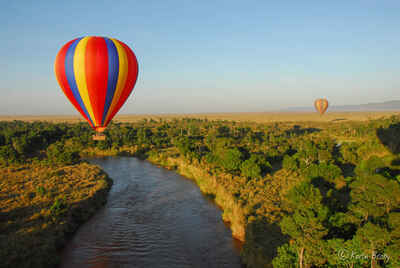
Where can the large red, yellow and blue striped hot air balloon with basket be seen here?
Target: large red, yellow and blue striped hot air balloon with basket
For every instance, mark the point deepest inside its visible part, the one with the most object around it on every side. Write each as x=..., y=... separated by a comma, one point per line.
x=97, y=74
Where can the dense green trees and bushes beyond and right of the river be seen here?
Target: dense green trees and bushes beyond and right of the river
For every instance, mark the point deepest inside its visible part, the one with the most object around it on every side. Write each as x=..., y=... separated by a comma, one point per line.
x=299, y=195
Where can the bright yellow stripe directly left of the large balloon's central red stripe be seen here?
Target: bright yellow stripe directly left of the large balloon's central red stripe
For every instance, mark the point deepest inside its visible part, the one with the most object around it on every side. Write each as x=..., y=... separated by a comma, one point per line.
x=80, y=76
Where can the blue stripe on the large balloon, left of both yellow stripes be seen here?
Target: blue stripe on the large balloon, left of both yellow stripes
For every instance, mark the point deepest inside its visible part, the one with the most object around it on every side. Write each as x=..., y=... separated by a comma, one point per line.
x=69, y=72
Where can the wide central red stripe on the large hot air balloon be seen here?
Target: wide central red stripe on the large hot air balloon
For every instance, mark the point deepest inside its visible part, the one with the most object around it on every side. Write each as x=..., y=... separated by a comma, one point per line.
x=96, y=65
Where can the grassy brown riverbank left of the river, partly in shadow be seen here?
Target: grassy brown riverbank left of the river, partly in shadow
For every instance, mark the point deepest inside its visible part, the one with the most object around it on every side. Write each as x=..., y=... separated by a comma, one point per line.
x=41, y=206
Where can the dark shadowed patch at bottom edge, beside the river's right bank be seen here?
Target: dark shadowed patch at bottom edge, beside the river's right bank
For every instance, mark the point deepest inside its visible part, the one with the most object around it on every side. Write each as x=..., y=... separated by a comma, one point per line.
x=262, y=241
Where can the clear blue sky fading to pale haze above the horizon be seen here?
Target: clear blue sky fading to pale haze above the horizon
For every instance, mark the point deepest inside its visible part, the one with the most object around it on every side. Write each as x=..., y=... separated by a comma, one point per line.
x=209, y=56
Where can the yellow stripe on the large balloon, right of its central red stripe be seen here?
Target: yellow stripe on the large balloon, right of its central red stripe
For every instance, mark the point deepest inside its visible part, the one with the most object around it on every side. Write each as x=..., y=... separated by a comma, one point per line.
x=122, y=75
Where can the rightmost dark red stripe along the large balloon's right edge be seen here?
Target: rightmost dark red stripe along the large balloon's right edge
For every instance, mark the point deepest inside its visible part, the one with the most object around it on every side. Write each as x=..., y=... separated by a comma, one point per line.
x=130, y=80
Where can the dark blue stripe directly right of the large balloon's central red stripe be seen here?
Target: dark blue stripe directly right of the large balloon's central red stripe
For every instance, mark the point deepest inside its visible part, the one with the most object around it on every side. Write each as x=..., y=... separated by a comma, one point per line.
x=113, y=70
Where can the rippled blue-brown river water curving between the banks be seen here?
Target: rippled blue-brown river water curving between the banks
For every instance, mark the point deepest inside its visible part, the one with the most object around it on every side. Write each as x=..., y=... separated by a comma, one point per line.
x=153, y=218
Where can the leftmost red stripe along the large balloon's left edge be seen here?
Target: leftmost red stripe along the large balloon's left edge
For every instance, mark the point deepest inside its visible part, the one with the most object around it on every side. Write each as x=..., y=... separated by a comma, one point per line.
x=63, y=81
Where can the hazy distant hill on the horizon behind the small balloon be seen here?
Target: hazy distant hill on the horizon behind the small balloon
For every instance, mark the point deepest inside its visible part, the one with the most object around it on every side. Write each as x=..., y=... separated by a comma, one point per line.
x=375, y=106
